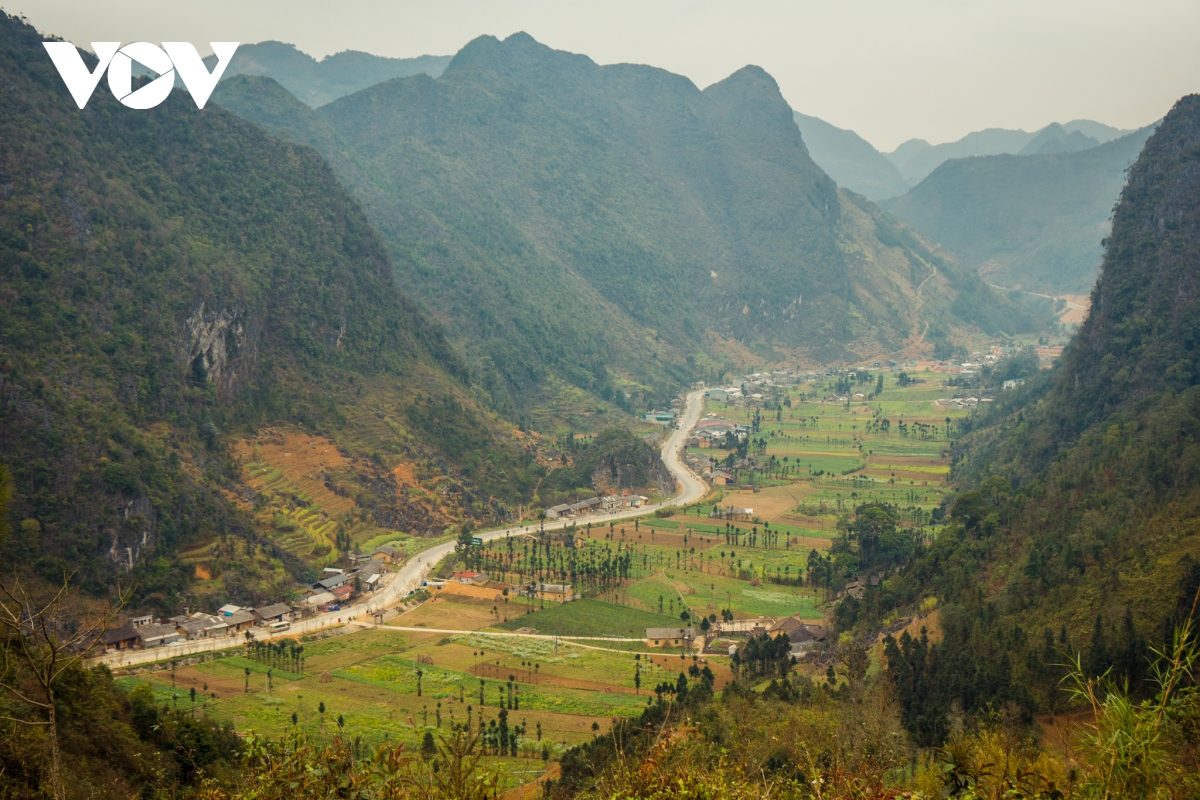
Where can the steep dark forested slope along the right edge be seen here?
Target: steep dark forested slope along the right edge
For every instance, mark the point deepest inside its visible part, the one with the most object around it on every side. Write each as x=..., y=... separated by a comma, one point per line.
x=1079, y=532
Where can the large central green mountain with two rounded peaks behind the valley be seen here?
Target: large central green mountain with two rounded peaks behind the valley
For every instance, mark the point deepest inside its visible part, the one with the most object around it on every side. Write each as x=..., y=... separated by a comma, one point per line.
x=568, y=220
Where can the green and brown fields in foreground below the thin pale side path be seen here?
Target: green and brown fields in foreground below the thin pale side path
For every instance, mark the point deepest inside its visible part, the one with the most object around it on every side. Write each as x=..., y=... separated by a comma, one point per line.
x=364, y=685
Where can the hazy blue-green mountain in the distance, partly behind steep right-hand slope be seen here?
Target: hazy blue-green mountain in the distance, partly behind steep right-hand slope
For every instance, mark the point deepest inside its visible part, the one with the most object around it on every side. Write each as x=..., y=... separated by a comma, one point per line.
x=1028, y=222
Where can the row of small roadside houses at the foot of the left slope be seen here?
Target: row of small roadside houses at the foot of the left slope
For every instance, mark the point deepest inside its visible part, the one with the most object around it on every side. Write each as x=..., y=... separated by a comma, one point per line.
x=337, y=587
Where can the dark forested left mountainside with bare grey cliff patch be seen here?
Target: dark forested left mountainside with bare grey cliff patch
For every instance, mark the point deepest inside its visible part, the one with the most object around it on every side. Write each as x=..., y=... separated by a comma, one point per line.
x=172, y=278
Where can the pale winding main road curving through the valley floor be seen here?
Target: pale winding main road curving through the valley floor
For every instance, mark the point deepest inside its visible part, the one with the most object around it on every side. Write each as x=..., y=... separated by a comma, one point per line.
x=411, y=575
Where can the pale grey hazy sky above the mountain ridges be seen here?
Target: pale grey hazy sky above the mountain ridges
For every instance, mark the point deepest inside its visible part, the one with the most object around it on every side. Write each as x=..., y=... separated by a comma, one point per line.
x=891, y=70
